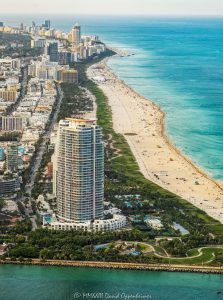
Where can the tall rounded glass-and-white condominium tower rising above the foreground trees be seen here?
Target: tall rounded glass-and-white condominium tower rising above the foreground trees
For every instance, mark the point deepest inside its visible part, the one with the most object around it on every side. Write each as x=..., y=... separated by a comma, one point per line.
x=79, y=170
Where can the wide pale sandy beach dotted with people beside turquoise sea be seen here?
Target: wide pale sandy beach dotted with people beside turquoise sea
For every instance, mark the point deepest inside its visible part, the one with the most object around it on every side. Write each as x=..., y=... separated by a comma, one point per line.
x=158, y=159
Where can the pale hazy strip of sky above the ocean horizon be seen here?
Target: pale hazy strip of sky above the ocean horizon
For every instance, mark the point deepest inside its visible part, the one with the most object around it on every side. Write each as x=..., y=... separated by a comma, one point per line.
x=113, y=7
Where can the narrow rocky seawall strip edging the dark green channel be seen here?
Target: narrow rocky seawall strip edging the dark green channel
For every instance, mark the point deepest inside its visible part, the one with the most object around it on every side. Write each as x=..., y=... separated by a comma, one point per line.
x=119, y=266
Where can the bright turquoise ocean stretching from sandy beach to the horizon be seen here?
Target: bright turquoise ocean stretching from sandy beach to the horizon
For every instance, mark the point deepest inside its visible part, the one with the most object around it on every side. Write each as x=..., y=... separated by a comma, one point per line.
x=177, y=63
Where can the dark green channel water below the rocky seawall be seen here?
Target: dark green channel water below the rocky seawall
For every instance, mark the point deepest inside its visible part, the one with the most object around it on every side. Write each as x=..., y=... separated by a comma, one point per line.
x=62, y=283
